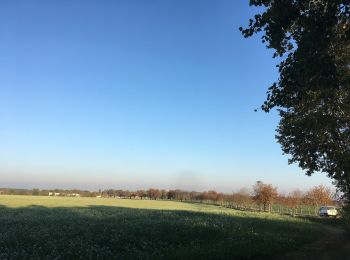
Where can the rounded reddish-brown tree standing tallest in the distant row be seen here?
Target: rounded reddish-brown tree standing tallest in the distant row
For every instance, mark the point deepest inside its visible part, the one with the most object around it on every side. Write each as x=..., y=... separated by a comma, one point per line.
x=264, y=194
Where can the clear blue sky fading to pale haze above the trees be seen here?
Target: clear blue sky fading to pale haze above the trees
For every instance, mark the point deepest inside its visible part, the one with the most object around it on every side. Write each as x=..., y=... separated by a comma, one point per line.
x=136, y=94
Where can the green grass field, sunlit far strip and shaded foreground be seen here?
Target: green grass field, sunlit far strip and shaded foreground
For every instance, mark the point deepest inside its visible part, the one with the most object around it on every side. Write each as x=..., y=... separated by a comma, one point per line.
x=95, y=228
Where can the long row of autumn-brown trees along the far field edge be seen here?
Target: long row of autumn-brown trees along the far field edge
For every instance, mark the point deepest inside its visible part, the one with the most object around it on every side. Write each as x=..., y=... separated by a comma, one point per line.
x=263, y=197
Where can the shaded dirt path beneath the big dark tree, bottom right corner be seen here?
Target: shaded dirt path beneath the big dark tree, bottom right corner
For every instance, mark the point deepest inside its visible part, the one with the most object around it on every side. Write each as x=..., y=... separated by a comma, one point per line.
x=333, y=244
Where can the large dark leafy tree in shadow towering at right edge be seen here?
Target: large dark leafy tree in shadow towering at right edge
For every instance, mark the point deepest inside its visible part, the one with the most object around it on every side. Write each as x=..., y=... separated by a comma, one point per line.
x=312, y=94
